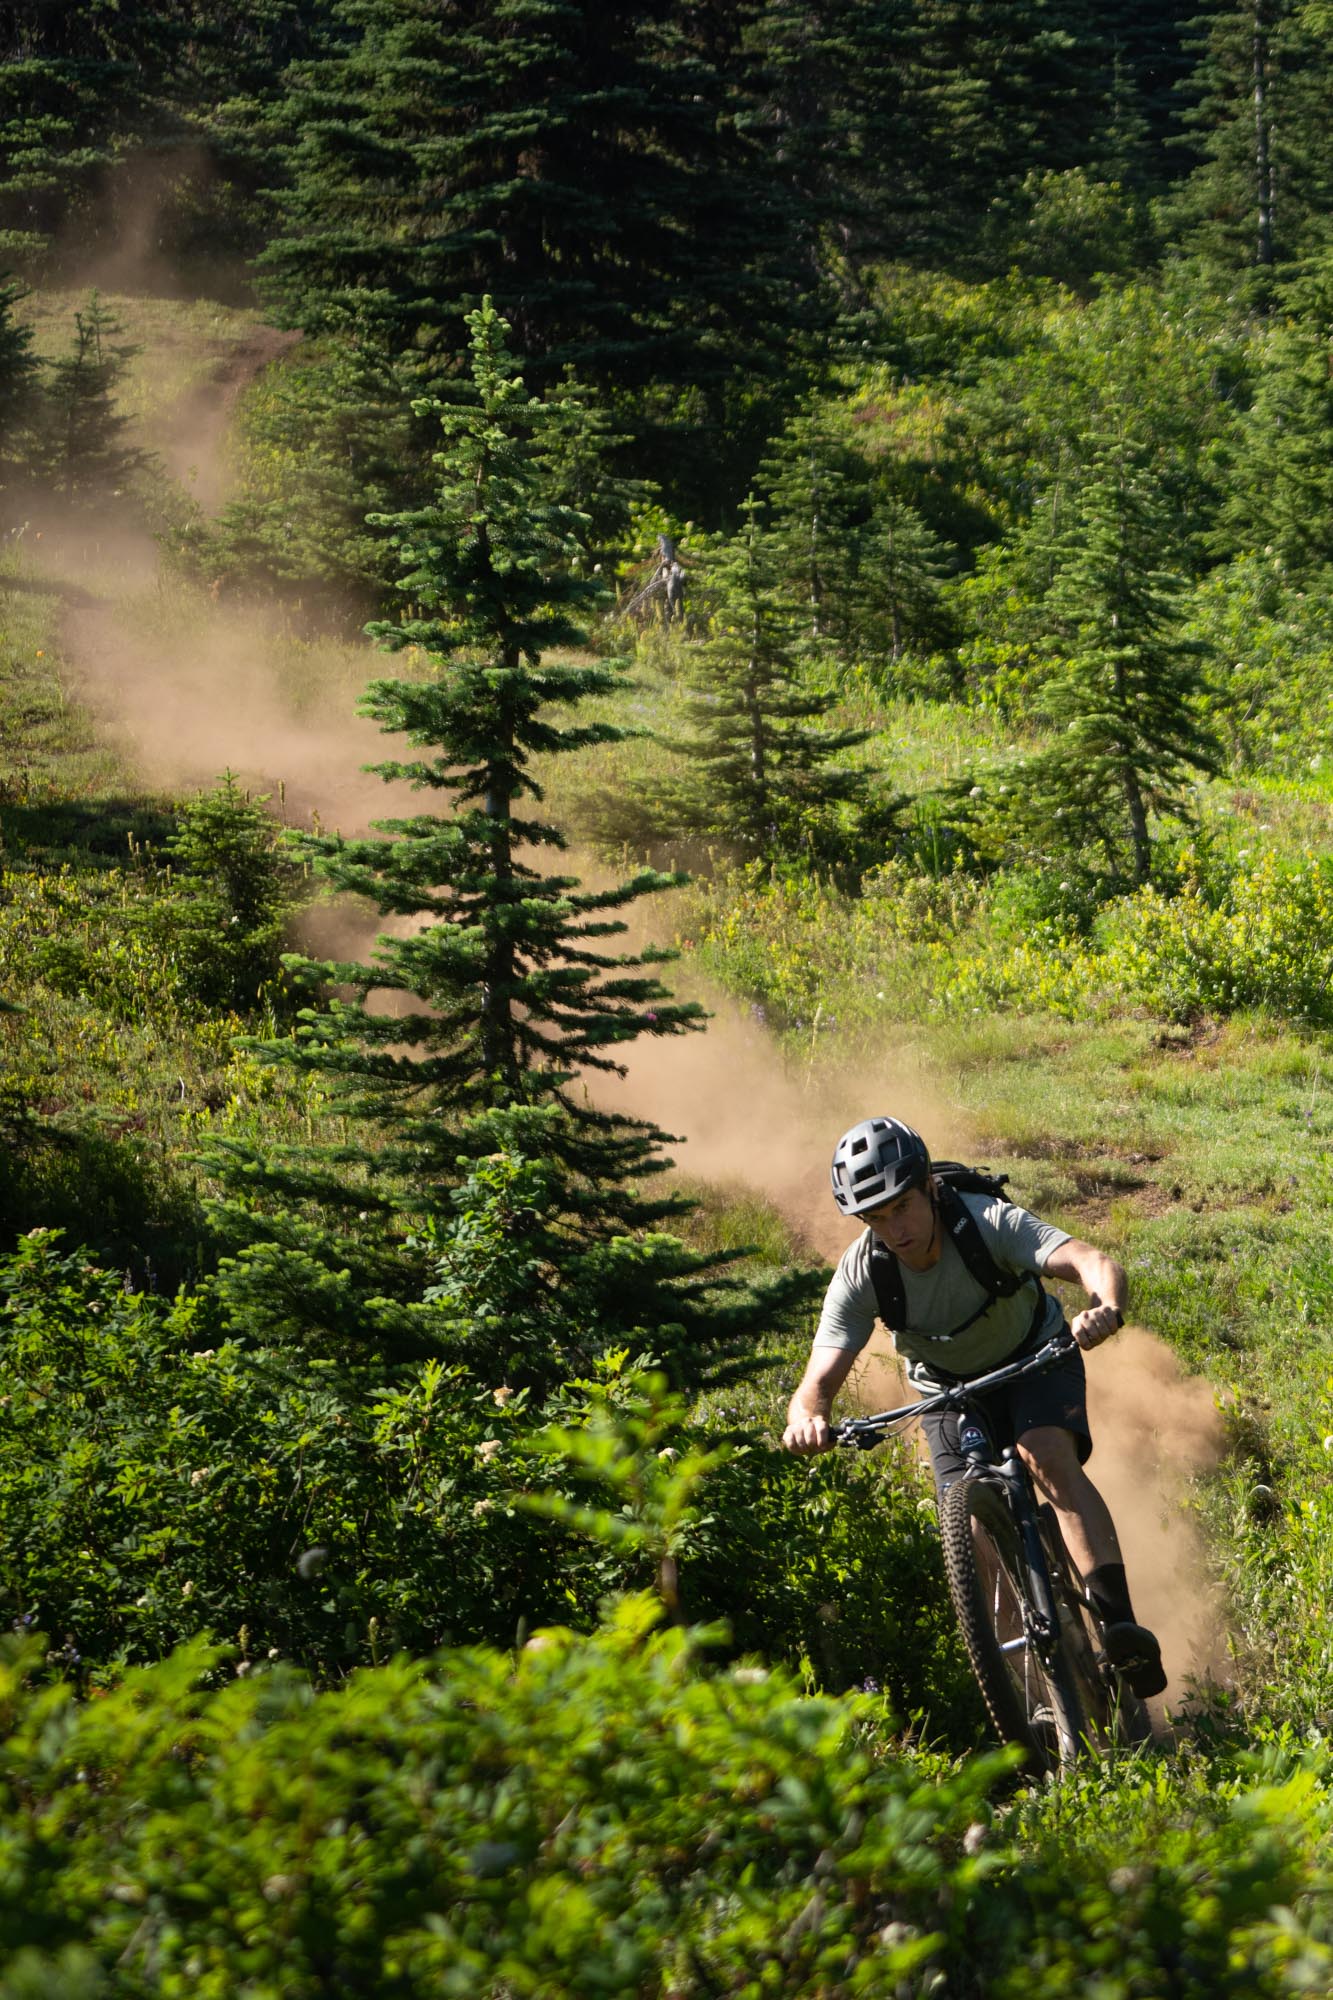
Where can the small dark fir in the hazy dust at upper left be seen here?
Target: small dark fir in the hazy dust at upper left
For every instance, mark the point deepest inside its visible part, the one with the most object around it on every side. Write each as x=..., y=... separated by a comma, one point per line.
x=81, y=453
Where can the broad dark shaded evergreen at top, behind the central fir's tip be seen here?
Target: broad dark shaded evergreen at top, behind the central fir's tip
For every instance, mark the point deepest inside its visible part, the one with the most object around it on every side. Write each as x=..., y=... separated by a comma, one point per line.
x=579, y=163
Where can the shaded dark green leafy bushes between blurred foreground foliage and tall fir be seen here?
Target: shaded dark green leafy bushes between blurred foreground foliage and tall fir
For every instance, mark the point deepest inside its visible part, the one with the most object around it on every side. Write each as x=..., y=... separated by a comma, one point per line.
x=161, y=1481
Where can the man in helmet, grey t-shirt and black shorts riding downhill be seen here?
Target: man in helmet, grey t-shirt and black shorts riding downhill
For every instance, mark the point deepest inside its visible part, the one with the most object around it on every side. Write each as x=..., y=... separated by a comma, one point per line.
x=954, y=1327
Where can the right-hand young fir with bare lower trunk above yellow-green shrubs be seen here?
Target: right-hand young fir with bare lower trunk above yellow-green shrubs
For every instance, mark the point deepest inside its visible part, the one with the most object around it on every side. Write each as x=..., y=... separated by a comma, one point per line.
x=1124, y=691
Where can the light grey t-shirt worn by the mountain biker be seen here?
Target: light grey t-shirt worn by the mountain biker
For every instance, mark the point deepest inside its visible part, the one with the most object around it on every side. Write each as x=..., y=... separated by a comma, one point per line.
x=942, y=1299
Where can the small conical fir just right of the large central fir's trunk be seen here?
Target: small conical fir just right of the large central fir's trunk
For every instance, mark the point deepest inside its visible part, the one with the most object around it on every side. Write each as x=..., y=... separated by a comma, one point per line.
x=762, y=773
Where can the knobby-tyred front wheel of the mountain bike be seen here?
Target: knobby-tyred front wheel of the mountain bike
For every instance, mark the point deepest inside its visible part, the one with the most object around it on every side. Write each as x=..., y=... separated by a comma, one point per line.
x=1028, y=1691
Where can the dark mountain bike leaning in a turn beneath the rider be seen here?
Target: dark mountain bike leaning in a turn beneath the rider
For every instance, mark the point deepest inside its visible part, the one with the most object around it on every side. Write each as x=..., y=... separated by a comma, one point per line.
x=1032, y=1635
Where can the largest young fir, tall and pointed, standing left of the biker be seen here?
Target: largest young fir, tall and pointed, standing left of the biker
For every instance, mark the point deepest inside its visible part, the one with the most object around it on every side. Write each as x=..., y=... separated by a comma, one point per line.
x=503, y=987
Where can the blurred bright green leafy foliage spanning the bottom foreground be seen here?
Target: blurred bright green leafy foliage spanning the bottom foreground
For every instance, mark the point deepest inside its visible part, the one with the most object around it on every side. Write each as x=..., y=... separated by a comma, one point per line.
x=611, y=1815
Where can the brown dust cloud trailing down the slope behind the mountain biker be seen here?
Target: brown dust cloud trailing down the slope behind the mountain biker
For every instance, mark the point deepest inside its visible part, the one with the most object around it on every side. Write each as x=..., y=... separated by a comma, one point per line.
x=189, y=689
